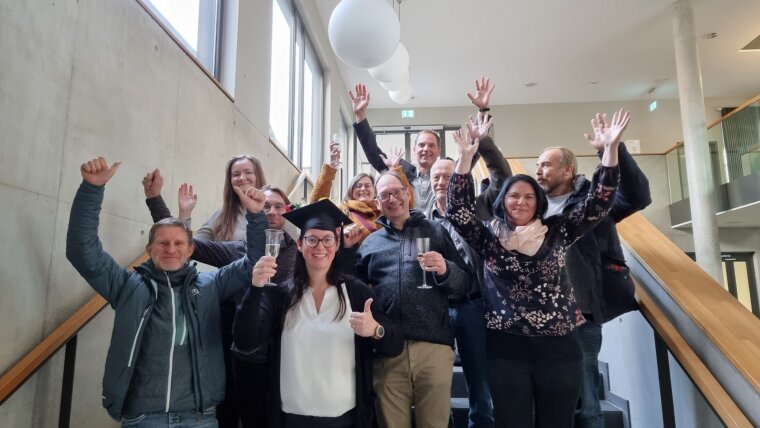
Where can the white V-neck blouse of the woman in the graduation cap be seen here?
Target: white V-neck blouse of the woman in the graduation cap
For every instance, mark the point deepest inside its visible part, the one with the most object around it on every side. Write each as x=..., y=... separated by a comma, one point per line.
x=317, y=363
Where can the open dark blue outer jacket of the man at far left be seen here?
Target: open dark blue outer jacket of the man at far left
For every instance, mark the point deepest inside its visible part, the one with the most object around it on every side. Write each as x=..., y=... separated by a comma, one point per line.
x=132, y=296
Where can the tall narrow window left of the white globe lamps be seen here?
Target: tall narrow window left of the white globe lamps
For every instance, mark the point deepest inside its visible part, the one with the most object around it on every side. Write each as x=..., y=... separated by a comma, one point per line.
x=295, y=109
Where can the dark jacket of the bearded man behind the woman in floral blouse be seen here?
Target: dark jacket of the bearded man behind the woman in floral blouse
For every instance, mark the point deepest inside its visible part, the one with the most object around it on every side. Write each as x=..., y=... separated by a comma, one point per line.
x=586, y=257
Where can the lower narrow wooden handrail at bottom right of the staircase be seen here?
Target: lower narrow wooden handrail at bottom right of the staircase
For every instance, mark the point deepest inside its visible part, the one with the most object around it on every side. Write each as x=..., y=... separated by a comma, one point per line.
x=705, y=382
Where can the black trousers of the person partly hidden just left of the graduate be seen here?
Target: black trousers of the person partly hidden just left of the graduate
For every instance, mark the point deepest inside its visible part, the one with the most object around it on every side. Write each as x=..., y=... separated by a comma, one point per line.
x=252, y=382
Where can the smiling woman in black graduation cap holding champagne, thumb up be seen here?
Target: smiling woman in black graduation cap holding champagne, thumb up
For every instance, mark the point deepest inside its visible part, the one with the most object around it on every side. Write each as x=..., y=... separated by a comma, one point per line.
x=321, y=327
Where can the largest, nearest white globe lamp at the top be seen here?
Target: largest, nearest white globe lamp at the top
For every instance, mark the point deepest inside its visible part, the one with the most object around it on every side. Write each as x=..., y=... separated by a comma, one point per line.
x=364, y=33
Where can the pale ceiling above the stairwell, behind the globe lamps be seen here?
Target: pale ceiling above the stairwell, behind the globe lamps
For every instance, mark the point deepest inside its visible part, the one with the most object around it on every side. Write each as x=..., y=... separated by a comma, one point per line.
x=563, y=46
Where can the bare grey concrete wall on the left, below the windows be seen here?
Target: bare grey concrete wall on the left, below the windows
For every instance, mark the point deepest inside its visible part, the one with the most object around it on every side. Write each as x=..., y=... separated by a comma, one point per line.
x=86, y=78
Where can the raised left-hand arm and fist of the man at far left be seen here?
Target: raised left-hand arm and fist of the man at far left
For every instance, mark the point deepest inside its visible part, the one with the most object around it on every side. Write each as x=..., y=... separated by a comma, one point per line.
x=83, y=247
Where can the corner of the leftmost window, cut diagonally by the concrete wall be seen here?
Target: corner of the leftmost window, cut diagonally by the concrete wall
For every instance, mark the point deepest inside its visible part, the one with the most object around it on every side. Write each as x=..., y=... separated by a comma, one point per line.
x=197, y=25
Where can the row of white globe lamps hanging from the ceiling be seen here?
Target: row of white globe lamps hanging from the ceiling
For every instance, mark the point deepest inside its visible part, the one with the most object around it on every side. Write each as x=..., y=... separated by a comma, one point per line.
x=367, y=34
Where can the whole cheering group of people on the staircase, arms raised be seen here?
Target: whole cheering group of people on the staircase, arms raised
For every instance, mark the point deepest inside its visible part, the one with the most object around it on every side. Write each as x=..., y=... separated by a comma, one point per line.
x=374, y=298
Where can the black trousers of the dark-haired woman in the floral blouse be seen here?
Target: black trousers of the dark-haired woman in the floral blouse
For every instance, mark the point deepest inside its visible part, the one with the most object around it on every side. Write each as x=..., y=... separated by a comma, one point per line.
x=535, y=381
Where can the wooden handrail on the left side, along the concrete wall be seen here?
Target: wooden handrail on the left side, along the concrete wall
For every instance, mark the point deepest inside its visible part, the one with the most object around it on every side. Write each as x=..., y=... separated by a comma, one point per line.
x=14, y=377
